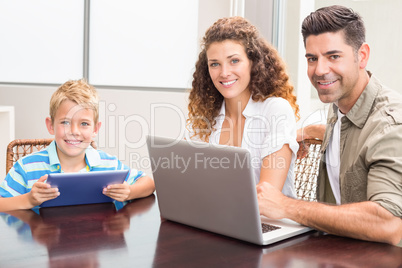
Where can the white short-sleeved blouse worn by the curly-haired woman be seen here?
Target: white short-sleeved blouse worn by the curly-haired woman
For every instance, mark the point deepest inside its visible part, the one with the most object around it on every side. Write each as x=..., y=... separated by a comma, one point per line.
x=269, y=125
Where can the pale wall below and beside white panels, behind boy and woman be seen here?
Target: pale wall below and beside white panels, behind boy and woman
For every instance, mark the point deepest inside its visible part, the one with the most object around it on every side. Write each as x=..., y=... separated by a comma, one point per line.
x=127, y=115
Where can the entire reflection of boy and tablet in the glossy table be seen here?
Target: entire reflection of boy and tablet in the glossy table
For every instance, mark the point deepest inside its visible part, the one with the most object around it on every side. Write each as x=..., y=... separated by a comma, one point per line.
x=73, y=235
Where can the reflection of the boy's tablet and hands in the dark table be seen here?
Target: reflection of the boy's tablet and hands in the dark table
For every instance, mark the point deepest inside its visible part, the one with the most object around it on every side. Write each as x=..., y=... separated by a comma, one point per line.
x=78, y=230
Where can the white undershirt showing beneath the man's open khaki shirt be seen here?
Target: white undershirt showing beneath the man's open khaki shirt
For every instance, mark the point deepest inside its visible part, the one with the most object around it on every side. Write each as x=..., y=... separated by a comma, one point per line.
x=333, y=159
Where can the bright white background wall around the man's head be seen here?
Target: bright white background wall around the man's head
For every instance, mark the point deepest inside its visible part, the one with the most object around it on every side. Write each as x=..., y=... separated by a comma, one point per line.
x=382, y=20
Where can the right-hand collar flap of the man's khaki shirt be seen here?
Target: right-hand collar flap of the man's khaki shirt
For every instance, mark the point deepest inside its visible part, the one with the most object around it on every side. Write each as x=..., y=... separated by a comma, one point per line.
x=360, y=111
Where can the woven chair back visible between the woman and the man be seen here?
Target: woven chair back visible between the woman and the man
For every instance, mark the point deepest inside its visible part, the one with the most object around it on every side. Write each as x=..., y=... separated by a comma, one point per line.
x=306, y=169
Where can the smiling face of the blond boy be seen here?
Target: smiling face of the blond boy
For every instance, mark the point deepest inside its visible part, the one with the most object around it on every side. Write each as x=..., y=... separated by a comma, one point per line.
x=74, y=128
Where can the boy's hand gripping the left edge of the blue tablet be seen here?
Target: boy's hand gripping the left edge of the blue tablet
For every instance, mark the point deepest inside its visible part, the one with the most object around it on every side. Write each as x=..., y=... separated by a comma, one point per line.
x=42, y=192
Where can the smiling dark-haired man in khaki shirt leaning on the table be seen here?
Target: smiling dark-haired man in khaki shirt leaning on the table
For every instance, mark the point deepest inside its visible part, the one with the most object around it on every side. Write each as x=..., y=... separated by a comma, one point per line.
x=360, y=177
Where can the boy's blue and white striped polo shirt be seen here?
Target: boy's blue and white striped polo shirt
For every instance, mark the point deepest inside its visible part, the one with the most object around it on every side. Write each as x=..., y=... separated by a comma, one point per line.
x=27, y=170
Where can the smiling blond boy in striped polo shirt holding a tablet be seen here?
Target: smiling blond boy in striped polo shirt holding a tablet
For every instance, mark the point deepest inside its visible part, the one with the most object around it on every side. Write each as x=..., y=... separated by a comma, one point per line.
x=74, y=123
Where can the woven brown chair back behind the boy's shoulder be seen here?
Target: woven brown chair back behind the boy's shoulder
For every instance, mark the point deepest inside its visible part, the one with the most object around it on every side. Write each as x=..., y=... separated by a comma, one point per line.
x=19, y=148
